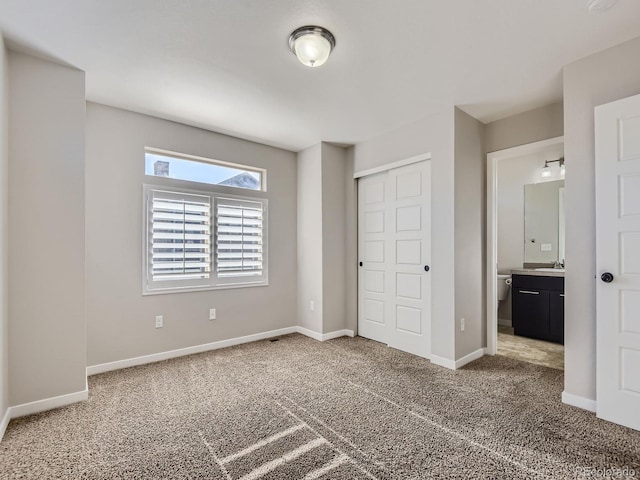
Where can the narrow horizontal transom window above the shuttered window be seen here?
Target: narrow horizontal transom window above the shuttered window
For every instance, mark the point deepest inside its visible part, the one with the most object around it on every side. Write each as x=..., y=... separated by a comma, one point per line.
x=158, y=163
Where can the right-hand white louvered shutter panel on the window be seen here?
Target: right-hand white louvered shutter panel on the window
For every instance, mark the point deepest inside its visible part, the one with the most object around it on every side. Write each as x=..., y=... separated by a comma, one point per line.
x=240, y=240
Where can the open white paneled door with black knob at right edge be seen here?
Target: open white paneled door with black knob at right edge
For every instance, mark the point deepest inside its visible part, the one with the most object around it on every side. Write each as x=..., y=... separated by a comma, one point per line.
x=618, y=261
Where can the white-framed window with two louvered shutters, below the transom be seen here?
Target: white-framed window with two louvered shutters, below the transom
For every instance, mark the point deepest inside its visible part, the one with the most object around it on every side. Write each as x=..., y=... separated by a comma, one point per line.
x=202, y=240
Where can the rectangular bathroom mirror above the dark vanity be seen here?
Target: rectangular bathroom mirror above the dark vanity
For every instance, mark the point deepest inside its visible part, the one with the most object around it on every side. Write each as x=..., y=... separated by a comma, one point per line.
x=544, y=222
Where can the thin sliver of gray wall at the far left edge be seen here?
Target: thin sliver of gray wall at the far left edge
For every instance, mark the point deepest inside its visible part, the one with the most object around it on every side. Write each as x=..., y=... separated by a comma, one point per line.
x=4, y=218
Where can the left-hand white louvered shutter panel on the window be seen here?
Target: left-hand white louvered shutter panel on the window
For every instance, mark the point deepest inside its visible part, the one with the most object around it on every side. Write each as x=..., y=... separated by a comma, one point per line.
x=179, y=239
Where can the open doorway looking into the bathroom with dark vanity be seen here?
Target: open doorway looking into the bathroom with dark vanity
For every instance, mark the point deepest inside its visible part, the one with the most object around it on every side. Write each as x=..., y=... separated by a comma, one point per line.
x=525, y=319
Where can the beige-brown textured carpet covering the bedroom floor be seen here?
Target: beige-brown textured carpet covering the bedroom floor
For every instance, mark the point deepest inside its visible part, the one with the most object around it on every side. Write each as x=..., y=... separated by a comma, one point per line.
x=301, y=409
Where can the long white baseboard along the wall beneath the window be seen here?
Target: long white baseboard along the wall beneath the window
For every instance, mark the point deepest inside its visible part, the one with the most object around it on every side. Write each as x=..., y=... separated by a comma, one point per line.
x=157, y=357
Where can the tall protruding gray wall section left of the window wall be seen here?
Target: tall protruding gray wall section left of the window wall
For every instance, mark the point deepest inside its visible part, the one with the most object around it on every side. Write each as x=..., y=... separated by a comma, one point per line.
x=47, y=330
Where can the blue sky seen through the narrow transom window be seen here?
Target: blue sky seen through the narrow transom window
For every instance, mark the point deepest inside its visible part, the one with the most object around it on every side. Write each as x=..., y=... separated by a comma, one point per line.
x=195, y=171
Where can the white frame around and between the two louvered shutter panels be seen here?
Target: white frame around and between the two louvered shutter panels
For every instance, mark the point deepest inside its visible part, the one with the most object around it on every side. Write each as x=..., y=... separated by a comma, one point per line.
x=214, y=282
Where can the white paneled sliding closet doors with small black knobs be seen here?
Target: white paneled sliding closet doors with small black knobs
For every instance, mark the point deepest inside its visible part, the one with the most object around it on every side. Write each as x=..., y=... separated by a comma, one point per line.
x=394, y=234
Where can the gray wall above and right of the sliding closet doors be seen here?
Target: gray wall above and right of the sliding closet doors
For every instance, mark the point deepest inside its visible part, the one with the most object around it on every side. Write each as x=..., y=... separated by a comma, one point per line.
x=434, y=134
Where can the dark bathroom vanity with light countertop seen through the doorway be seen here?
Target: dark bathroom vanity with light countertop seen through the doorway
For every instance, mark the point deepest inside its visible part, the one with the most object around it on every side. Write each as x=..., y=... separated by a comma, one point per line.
x=538, y=303
